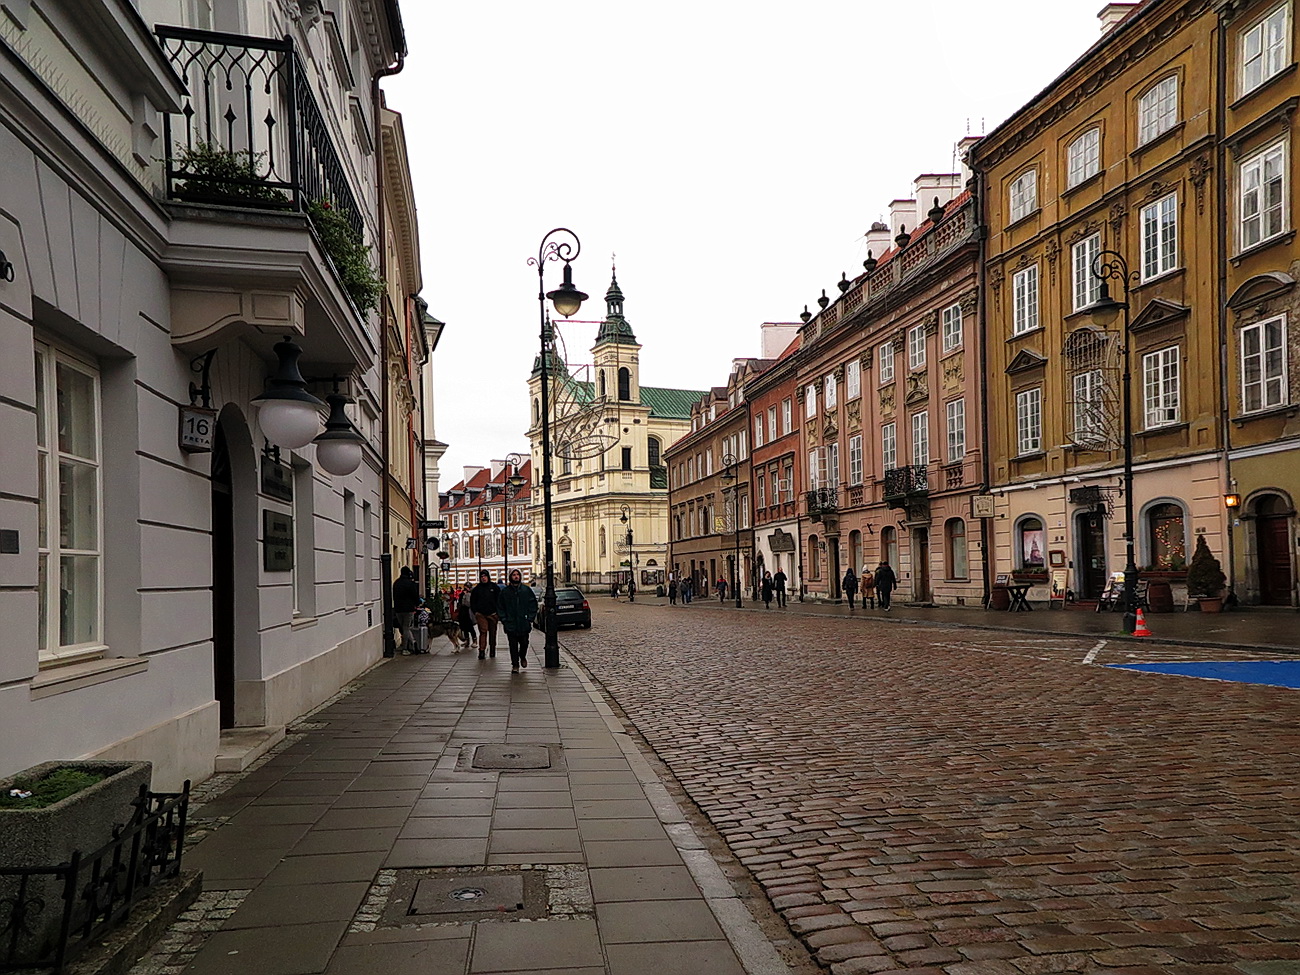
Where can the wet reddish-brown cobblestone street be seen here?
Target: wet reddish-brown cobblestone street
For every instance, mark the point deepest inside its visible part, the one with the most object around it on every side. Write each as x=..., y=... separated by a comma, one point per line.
x=976, y=803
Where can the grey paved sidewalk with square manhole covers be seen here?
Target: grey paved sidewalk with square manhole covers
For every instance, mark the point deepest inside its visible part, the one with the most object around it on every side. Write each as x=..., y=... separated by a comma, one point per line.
x=376, y=808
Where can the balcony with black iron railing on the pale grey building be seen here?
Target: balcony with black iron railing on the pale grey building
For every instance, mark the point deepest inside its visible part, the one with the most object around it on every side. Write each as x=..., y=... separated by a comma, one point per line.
x=245, y=161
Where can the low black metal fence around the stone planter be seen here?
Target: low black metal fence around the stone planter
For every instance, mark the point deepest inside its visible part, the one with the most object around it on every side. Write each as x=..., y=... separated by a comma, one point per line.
x=92, y=892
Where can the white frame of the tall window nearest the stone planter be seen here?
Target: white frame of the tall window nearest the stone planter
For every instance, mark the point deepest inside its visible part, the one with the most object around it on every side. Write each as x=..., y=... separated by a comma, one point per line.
x=50, y=460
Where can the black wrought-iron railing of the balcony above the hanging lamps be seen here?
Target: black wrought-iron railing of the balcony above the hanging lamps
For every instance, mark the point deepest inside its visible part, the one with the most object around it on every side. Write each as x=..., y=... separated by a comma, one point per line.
x=250, y=132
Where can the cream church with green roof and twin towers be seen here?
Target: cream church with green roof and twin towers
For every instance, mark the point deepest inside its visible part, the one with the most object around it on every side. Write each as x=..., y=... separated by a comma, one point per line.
x=609, y=435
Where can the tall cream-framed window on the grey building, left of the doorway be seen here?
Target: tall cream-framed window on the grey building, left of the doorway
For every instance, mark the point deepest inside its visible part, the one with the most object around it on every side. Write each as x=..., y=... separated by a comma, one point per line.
x=70, y=578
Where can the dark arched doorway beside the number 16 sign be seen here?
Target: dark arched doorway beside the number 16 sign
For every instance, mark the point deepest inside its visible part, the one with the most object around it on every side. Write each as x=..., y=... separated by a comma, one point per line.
x=223, y=582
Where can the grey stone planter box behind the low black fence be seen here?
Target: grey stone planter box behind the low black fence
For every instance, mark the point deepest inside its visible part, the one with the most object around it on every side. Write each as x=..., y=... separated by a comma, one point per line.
x=33, y=838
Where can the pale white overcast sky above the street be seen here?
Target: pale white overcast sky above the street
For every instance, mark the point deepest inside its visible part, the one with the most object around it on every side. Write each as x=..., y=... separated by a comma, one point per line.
x=731, y=157
